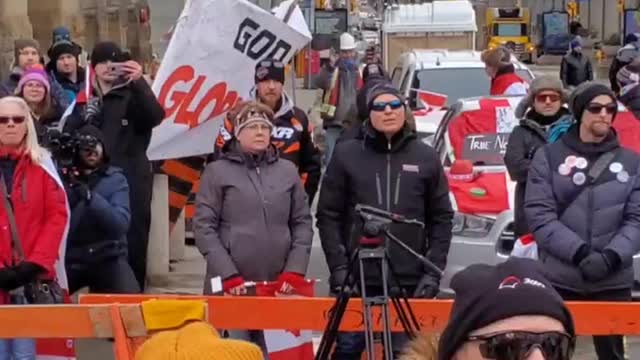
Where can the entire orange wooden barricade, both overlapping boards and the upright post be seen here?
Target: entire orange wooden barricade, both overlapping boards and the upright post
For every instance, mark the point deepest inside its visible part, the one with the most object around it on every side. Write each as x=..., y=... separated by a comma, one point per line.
x=119, y=317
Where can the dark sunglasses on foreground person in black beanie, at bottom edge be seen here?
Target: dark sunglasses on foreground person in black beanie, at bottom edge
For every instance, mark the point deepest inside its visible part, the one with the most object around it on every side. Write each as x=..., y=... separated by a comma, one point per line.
x=518, y=345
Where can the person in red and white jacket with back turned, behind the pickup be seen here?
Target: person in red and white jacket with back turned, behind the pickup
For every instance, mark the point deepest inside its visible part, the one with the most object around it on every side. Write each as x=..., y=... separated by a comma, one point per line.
x=504, y=80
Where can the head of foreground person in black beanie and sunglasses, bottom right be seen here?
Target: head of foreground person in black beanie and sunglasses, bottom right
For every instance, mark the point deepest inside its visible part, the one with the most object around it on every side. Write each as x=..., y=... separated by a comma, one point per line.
x=494, y=316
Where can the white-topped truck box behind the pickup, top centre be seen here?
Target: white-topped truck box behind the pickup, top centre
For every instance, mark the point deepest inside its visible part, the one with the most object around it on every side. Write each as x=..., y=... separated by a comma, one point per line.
x=434, y=25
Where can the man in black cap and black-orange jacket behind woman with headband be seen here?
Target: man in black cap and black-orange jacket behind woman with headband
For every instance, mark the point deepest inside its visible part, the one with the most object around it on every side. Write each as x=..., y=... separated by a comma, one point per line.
x=292, y=132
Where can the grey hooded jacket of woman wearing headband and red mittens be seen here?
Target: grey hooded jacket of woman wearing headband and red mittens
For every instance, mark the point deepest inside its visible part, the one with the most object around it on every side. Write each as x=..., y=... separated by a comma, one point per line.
x=252, y=218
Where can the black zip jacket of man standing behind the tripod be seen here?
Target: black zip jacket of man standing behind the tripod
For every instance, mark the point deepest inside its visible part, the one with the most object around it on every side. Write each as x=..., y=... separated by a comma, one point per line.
x=403, y=176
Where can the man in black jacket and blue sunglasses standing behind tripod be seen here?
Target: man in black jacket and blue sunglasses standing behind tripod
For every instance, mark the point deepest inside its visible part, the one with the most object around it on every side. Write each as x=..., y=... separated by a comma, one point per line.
x=390, y=169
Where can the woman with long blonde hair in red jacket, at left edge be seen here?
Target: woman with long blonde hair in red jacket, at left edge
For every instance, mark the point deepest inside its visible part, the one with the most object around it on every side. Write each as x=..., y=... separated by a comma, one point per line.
x=32, y=245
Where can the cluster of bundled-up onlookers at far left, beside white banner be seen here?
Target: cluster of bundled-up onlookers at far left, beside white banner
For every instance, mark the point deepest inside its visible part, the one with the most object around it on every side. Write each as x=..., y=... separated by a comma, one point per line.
x=74, y=174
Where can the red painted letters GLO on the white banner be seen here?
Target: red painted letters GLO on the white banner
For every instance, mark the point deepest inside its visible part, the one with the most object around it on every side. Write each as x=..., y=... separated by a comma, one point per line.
x=181, y=101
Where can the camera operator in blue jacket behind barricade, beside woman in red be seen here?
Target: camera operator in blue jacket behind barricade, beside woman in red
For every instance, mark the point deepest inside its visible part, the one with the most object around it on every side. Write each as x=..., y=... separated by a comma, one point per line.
x=100, y=214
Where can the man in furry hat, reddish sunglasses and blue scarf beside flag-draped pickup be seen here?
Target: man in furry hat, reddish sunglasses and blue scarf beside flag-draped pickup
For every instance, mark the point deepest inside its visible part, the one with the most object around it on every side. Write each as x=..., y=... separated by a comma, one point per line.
x=543, y=120
